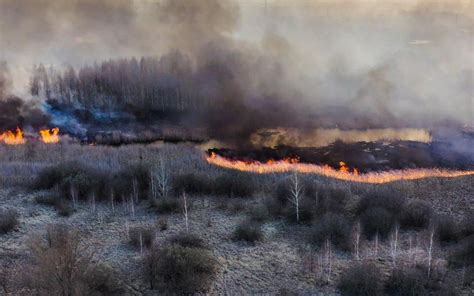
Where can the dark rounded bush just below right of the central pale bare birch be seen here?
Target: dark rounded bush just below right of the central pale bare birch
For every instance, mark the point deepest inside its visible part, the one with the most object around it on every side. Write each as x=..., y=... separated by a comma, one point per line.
x=334, y=228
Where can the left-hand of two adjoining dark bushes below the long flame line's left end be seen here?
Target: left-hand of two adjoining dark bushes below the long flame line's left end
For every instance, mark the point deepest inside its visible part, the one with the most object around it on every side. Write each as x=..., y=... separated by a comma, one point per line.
x=191, y=183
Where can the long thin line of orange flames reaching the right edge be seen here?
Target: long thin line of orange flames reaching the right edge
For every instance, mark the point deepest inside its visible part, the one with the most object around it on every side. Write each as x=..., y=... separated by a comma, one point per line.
x=343, y=173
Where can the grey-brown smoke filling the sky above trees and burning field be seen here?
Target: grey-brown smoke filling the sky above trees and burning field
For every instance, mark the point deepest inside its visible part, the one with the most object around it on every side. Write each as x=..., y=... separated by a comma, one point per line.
x=358, y=64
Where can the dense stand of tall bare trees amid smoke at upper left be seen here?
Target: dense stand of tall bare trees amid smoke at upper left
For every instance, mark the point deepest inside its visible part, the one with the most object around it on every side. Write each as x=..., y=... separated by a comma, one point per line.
x=162, y=84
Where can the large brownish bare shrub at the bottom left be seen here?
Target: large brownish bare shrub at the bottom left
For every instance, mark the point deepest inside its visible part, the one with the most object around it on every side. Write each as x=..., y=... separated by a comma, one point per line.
x=62, y=266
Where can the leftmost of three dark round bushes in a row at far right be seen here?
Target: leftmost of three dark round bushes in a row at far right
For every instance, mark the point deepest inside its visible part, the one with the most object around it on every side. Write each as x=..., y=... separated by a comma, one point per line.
x=377, y=220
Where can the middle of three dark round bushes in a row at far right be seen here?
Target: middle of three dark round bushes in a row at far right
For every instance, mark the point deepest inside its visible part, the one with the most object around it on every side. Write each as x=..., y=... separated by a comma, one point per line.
x=416, y=214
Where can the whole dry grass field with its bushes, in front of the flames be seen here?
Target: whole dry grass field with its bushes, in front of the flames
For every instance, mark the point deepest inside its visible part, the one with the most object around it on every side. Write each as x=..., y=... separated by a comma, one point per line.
x=158, y=219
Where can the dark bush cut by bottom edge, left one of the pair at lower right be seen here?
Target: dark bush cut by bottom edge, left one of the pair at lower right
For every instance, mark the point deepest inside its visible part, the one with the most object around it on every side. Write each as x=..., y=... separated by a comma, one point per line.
x=360, y=279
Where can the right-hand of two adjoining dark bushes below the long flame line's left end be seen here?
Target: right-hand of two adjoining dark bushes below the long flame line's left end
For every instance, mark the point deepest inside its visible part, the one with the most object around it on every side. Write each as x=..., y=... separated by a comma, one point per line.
x=234, y=185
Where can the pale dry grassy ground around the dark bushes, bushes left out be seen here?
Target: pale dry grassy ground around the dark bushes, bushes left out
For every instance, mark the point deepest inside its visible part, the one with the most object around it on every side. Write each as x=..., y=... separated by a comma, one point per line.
x=285, y=256
